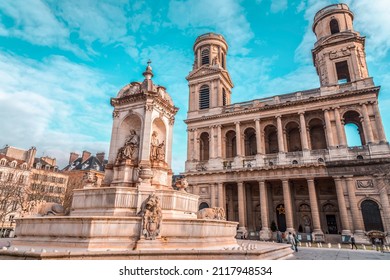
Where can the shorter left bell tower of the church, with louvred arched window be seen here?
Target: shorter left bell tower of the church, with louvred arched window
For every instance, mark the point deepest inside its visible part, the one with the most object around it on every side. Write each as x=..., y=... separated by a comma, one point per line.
x=209, y=82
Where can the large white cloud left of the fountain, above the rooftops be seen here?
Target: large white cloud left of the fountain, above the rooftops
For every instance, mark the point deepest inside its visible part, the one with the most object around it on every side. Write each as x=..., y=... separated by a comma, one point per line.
x=52, y=105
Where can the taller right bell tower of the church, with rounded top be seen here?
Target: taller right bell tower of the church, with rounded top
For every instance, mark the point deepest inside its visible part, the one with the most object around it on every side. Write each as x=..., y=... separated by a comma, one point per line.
x=338, y=54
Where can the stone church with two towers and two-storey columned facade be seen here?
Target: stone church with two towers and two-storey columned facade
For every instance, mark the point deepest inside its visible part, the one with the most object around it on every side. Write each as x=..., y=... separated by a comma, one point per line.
x=284, y=161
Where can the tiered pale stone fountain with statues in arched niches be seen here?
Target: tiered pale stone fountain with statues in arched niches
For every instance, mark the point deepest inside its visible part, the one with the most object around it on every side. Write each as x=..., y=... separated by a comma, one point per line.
x=136, y=214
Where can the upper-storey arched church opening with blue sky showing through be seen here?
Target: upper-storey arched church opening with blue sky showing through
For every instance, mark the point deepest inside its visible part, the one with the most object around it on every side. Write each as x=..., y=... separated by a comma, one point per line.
x=353, y=129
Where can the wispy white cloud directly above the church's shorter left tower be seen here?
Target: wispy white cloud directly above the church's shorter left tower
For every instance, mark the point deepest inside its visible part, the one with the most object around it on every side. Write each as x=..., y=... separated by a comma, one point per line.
x=221, y=16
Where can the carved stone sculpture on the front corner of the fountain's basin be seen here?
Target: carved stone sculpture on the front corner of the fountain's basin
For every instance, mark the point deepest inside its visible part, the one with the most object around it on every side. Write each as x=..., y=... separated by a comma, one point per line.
x=152, y=216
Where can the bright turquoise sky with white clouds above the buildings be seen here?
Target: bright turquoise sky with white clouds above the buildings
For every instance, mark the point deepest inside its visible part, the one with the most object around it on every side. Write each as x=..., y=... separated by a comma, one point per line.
x=61, y=61
